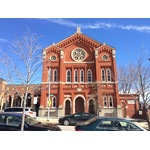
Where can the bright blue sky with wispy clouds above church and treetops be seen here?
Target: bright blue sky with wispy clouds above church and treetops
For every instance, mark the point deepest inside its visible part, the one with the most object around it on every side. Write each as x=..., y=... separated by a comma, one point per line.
x=127, y=35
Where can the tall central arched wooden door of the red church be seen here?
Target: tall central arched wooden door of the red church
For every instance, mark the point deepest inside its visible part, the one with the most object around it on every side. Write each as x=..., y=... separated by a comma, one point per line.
x=79, y=105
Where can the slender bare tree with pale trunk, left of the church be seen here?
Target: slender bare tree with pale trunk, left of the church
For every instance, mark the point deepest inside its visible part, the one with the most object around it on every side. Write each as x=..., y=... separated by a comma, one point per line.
x=22, y=61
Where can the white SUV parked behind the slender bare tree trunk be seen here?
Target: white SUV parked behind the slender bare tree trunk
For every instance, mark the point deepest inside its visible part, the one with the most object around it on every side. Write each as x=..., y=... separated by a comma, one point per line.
x=28, y=110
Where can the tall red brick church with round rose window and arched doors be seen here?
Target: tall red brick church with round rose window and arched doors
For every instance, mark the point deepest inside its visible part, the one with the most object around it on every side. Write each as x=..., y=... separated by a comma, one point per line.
x=80, y=74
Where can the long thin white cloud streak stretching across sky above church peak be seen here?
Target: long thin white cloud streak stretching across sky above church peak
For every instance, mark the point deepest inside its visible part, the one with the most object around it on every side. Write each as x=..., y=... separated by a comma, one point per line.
x=100, y=25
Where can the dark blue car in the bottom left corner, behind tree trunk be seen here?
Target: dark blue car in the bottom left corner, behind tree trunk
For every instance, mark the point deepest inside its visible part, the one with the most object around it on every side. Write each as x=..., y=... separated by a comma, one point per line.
x=12, y=122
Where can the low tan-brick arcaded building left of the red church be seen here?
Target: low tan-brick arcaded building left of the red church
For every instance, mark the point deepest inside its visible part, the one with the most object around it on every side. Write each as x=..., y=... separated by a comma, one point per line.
x=13, y=95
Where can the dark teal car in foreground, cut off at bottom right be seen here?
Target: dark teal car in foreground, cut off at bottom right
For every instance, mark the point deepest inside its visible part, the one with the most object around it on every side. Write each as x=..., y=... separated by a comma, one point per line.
x=108, y=124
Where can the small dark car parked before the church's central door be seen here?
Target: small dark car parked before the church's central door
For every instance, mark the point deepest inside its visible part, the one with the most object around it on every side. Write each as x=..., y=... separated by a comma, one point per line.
x=74, y=118
